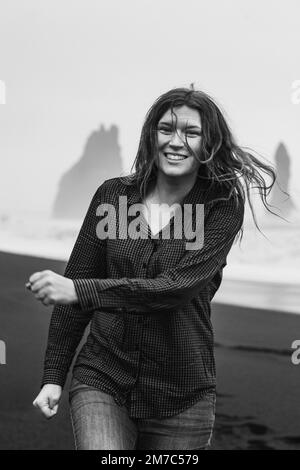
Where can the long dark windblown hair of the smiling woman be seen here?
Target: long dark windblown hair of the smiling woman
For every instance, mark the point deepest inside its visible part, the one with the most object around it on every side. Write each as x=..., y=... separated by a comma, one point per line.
x=222, y=161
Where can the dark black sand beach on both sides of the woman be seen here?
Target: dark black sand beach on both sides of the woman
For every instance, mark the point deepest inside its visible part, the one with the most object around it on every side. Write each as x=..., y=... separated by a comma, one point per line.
x=258, y=386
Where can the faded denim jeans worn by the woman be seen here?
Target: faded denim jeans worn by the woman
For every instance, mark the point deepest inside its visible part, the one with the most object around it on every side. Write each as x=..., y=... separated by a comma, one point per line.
x=100, y=424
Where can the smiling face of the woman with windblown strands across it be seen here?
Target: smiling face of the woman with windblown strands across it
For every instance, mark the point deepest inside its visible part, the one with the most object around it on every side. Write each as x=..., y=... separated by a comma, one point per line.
x=174, y=157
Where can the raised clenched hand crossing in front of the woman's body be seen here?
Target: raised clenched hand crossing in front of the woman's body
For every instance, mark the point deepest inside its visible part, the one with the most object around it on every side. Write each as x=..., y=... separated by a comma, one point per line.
x=51, y=288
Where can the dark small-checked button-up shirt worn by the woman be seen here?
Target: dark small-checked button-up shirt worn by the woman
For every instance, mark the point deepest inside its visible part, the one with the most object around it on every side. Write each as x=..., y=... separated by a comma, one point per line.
x=150, y=343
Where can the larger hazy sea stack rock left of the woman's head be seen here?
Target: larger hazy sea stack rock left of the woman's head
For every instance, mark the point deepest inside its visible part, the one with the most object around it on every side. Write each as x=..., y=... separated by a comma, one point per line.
x=101, y=160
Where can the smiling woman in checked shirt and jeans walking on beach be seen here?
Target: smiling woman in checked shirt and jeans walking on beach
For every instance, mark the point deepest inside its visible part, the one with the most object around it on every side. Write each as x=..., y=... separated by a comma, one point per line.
x=145, y=378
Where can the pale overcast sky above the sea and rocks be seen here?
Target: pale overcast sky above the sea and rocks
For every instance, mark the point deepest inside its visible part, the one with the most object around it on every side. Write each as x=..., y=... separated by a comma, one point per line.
x=69, y=66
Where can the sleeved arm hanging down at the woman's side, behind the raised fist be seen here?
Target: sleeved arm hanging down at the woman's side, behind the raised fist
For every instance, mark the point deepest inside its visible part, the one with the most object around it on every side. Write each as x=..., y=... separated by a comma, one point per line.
x=68, y=322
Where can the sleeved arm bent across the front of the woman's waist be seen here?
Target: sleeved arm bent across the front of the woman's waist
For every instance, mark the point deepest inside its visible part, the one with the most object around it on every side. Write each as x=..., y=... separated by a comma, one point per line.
x=175, y=287
